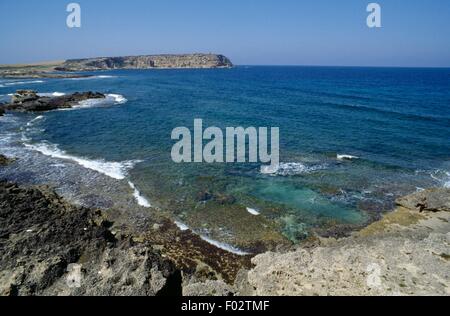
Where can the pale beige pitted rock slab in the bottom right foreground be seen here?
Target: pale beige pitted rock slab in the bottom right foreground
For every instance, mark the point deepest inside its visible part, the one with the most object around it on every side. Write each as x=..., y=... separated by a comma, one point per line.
x=406, y=253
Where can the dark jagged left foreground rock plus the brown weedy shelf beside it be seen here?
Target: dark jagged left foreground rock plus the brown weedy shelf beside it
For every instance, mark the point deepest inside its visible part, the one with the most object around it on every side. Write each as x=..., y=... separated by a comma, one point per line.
x=51, y=247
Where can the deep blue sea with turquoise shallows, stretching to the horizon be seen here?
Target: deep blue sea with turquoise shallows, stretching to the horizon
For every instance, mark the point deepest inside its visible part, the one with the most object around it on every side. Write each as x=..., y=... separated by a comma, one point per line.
x=395, y=123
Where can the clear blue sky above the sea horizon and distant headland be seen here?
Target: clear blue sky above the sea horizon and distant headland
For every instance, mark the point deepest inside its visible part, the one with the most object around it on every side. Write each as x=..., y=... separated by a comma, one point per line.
x=414, y=33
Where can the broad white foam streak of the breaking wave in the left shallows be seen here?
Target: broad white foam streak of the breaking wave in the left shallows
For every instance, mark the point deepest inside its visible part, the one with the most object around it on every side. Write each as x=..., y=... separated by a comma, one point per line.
x=115, y=170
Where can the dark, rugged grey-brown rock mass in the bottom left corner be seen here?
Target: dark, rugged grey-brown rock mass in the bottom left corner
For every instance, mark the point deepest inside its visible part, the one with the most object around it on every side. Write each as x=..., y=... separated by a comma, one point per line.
x=49, y=247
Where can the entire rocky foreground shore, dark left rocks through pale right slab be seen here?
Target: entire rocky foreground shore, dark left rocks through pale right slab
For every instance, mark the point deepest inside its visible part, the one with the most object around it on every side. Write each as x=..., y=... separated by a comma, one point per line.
x=410, y=246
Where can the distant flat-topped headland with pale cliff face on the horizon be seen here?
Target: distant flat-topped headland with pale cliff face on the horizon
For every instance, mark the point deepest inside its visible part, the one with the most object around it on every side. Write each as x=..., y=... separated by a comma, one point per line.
x=147, y=62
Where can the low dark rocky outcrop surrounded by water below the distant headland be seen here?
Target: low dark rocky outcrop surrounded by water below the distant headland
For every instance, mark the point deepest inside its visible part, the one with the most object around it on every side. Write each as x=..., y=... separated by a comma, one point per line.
x=30, y=101
